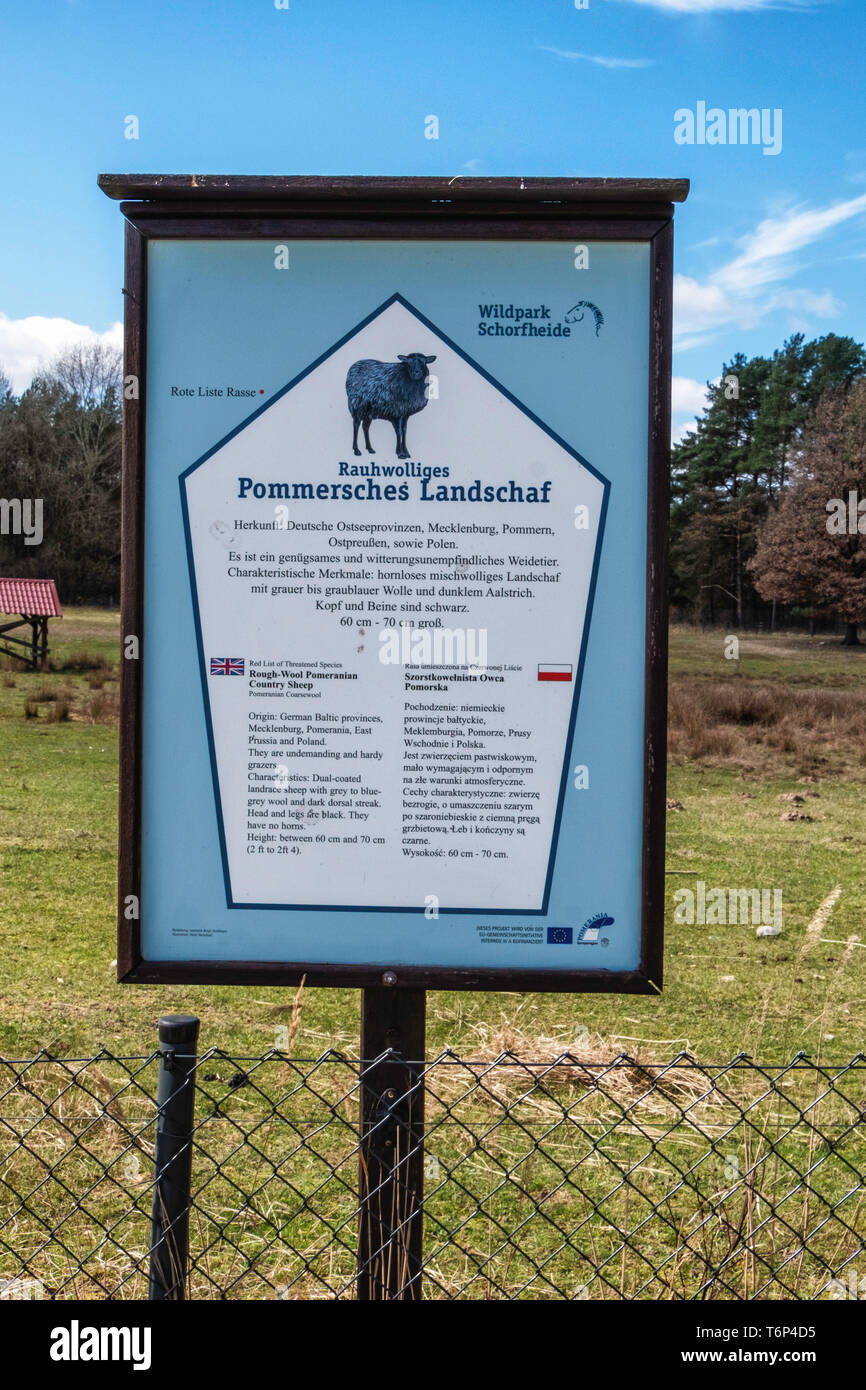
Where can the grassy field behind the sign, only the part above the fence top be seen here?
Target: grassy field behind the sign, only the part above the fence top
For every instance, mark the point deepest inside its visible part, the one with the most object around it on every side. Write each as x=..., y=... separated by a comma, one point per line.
x=787, y=718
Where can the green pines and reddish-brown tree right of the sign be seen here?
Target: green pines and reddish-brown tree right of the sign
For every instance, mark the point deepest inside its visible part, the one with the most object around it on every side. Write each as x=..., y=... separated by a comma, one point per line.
x=779, y=440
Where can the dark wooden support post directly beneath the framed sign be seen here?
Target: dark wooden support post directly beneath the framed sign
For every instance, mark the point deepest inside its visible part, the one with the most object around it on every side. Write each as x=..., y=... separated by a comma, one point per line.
x=391, y=1163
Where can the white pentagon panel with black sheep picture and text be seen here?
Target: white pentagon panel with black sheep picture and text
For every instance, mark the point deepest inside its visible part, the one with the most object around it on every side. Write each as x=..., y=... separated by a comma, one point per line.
x=393, y=566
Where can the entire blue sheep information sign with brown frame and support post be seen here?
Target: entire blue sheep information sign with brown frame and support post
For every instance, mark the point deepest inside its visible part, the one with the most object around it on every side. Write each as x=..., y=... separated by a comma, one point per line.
x=394, y=603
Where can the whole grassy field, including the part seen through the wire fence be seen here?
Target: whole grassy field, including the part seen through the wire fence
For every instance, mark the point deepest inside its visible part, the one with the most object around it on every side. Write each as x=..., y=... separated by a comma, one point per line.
x=600, y=1182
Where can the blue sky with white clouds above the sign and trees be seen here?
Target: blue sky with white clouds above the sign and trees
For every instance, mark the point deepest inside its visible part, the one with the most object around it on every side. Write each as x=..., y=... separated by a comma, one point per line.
x=767, y=245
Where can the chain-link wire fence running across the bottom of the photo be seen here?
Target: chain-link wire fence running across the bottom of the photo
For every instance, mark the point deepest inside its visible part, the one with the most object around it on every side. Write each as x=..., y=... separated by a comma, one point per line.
x=541, y=1179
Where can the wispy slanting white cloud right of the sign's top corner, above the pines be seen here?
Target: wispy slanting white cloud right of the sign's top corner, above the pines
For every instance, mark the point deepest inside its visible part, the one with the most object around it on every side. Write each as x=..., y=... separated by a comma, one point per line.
x=742, y=291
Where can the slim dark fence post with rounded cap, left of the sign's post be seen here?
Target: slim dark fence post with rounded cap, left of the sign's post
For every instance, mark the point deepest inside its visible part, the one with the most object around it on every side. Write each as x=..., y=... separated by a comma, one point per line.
x=173, y=1157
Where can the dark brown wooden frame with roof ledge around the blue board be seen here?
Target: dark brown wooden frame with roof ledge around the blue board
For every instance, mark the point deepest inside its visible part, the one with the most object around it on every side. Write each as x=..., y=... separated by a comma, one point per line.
x=283, y=208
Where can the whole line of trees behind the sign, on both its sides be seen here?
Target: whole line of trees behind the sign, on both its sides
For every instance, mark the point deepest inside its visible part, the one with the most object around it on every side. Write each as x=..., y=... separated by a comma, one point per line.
x=768, y=494
